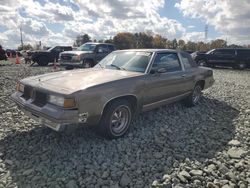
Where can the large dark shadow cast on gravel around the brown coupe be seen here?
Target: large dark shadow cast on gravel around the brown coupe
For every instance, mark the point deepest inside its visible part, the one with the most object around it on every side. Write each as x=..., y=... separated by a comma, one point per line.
x=157, y=141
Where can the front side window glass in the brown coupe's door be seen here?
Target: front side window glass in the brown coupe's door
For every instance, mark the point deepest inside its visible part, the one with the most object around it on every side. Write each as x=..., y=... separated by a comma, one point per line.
x=168, y=61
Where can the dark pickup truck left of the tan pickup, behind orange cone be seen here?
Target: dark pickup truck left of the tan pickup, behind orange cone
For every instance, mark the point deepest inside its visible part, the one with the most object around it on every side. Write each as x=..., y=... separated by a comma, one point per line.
x=44, y=57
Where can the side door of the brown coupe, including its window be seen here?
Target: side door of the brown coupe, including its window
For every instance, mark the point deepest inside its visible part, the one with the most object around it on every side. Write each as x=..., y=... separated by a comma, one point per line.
x=166, y=84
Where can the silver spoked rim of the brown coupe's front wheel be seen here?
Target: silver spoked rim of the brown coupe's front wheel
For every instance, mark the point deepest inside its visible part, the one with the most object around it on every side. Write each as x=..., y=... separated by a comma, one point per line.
x=120, y=119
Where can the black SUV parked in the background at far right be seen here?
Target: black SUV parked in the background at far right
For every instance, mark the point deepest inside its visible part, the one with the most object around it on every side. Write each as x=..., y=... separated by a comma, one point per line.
x=228, y=57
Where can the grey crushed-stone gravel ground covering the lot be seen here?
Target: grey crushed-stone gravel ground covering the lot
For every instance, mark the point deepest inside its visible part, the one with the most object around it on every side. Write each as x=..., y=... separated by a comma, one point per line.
x=173, y=146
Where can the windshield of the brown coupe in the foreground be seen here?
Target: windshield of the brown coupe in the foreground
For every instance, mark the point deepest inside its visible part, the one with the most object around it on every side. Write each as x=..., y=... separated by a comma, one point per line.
x=126, y=60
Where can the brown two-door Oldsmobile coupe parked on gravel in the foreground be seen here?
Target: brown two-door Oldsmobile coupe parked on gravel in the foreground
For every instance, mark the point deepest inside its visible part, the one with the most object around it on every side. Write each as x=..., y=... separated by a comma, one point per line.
x=108, y=95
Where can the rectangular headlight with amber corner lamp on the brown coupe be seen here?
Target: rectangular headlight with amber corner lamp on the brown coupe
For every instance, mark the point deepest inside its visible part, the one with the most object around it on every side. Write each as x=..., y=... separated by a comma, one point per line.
x=61, y=101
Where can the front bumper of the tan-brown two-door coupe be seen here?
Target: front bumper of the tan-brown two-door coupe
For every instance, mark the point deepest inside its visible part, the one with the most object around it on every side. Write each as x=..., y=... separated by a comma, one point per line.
x=49, y=115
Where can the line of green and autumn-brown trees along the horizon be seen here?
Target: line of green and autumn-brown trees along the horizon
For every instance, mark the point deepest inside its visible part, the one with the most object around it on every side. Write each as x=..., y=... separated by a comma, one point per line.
x=126, y=40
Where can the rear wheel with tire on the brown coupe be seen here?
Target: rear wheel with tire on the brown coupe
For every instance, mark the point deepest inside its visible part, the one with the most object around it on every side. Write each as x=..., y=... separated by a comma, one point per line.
x=194, y=98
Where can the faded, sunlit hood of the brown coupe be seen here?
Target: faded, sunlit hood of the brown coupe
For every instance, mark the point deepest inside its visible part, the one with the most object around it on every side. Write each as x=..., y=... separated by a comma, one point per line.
x=68, y=82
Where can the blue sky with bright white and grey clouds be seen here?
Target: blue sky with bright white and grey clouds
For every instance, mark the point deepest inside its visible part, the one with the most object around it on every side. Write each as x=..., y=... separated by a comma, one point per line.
x=58, y=22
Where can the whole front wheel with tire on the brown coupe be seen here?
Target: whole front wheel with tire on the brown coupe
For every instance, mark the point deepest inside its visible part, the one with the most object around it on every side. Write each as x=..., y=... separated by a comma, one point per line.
x=115, y=120
